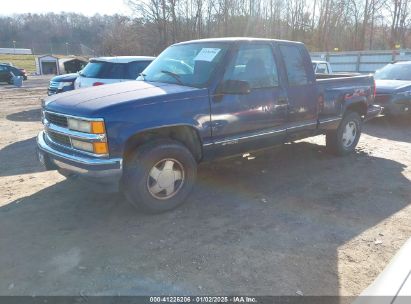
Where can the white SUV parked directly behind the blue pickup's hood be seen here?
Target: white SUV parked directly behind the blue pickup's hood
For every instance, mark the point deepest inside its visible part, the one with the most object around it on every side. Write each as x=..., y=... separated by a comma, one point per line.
x=105, y=70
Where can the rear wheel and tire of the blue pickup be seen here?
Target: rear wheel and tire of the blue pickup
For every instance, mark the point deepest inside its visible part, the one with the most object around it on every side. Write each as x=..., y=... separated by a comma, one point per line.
x=343, y=140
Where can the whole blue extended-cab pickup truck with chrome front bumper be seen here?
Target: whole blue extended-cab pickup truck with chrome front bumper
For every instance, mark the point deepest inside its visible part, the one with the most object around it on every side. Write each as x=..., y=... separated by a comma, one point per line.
x=199, y=100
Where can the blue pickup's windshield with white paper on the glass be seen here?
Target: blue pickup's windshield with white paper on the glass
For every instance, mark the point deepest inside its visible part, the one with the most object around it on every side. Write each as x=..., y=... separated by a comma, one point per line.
x=186, y=64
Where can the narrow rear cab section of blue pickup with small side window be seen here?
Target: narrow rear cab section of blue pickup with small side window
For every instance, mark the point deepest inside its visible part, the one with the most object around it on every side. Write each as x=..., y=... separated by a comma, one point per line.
x=301, y=88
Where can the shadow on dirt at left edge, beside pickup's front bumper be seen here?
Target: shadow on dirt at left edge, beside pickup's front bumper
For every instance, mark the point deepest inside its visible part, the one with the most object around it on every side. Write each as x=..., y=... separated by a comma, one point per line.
x=20, y=158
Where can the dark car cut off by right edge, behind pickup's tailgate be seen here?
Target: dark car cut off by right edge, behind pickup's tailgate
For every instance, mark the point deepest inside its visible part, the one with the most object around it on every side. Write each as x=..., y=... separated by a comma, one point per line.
x=393, y=88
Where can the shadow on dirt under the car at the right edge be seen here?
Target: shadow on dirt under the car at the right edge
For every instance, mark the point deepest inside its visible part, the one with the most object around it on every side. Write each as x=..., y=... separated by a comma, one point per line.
x=392, y=128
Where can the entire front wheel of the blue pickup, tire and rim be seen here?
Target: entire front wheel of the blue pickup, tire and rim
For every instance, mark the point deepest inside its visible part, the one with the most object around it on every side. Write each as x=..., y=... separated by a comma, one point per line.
x=159, y=176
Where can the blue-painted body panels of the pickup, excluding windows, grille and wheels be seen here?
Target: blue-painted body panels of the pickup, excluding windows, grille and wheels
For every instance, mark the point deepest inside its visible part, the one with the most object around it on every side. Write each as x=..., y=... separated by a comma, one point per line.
x=226, y=124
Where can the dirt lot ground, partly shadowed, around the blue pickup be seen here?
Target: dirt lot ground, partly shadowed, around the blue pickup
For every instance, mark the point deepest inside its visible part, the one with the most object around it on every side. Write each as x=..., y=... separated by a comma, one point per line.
x=286, y=220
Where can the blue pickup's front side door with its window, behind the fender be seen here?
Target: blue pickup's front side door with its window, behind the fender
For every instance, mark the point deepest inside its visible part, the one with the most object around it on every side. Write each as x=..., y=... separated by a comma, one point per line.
x=243, y=122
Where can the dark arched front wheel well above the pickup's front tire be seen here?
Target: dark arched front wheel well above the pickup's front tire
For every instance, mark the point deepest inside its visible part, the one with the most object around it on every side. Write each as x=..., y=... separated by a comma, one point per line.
x=188, y=136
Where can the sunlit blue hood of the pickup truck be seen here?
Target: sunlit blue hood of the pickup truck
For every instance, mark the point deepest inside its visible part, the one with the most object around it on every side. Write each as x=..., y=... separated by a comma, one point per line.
x=90, y=101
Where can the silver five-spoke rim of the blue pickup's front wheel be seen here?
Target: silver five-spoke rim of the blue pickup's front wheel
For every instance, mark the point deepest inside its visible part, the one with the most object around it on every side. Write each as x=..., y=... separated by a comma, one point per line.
x=165, y=178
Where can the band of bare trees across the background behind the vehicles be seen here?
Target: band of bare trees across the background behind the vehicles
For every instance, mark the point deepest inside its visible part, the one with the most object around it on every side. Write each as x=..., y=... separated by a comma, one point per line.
x=321, y=24
